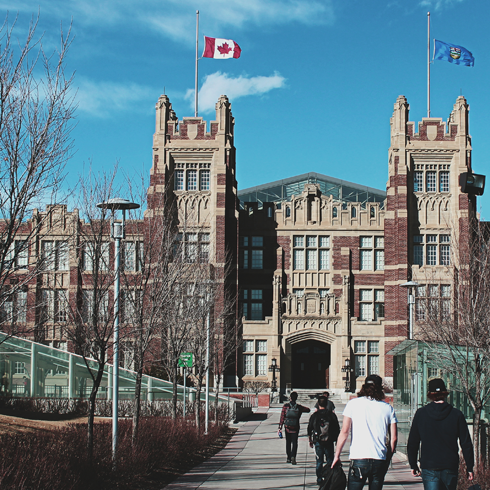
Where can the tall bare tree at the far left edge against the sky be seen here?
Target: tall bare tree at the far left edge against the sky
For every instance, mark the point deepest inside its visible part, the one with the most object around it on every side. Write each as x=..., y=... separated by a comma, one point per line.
x=36, y=118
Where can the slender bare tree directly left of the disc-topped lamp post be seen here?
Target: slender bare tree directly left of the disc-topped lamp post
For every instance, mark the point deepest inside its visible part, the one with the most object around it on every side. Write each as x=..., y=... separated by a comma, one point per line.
x=91, y=307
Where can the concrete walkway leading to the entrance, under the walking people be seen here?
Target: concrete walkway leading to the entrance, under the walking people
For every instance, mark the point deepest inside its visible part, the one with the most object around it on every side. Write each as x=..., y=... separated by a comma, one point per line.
x=255, y=458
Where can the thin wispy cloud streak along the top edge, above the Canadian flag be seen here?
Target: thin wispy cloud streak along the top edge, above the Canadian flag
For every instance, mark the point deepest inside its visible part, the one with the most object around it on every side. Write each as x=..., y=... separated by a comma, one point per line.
x=176, y=18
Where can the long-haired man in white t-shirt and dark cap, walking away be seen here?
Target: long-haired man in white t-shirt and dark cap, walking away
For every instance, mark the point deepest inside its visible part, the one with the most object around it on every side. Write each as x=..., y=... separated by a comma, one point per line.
x=371, y=422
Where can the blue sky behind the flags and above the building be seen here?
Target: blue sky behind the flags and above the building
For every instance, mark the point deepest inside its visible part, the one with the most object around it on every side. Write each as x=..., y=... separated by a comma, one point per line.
x=312, y=92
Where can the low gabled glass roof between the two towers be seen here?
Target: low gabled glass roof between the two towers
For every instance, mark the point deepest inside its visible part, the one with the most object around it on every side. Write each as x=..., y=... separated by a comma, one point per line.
x=282, y=190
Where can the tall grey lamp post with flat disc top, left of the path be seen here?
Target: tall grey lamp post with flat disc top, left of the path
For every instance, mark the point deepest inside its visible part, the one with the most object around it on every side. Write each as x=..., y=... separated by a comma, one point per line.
x=117, y=234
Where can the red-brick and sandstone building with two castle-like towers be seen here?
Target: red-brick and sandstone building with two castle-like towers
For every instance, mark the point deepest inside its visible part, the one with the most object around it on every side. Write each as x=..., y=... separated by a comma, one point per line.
x=317, y=264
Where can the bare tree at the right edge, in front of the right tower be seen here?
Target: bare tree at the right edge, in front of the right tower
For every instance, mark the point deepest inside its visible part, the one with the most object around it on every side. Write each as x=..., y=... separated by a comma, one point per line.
x=456, y=324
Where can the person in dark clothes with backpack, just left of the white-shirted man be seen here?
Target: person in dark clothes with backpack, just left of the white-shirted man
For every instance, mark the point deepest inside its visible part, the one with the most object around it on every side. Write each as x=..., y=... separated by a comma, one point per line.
x=323, y=430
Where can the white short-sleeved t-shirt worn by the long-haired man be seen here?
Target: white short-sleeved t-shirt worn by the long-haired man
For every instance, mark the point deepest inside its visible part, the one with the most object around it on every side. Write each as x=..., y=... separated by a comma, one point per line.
x=371, y=422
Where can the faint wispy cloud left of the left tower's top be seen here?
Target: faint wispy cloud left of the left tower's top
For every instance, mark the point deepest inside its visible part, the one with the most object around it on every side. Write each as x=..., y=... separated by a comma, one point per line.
x=103, y=99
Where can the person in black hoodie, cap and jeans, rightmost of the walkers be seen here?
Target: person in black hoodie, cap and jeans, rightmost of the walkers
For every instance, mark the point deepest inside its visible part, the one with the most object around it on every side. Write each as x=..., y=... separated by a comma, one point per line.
x=438, y=426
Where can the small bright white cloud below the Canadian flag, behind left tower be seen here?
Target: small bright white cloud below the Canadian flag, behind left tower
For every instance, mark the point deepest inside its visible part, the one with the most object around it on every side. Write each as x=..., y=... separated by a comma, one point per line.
x=219, y=83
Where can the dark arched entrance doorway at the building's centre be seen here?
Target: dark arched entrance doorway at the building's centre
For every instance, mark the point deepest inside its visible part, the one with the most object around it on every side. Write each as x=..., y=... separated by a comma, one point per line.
x=310, y=363
